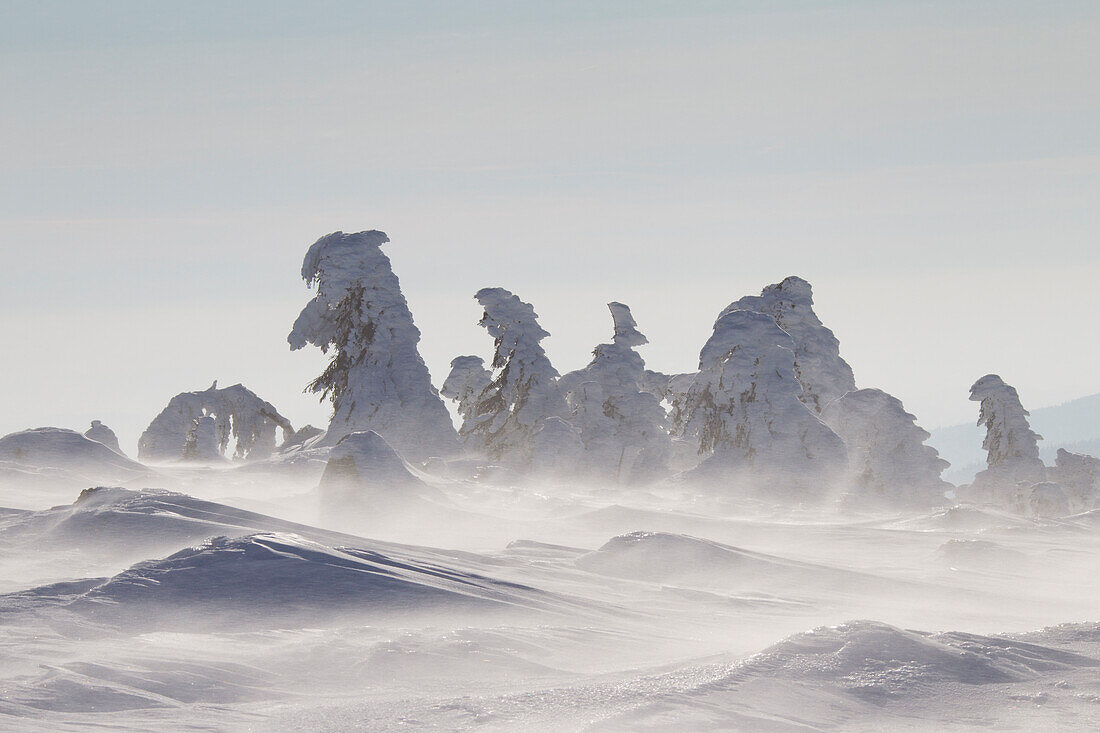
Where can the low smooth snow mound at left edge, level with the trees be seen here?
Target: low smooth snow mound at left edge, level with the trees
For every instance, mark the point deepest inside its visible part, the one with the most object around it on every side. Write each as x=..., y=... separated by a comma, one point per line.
x=68, y=451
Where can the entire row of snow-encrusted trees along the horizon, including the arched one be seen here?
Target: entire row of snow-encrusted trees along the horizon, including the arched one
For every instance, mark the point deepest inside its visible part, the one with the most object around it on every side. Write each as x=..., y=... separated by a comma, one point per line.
x=773, y=409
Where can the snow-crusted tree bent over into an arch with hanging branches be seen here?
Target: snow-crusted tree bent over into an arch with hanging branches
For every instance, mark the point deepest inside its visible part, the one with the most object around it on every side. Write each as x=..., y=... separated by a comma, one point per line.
x=236, y=411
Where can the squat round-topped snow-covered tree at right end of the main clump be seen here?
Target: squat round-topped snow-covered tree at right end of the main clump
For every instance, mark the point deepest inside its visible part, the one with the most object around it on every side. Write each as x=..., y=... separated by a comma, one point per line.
x=888, y=463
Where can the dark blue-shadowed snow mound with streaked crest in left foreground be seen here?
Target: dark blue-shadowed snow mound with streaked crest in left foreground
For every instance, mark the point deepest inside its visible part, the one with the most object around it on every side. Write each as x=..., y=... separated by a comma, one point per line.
x=272, y=578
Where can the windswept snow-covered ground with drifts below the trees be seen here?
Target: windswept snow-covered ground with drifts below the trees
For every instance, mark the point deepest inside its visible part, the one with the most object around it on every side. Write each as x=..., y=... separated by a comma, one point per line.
x=233, y=599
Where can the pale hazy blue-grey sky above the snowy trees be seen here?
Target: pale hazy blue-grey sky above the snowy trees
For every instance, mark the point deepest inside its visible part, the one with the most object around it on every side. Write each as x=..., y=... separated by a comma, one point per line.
x=932, y=168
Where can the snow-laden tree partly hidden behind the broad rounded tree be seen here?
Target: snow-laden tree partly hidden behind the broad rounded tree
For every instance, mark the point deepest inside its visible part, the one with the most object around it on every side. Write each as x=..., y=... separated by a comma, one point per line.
x=822, y=374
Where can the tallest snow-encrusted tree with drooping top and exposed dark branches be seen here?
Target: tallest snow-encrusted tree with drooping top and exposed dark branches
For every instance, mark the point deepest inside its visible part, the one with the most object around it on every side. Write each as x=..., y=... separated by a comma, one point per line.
x=377, y=379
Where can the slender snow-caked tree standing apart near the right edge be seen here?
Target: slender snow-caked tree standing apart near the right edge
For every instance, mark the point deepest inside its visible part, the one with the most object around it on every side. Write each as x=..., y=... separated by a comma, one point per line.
x=1011, y=446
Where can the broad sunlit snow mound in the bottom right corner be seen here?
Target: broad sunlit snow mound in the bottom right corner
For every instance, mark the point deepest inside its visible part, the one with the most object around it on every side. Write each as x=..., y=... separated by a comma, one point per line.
x=866, y=675
